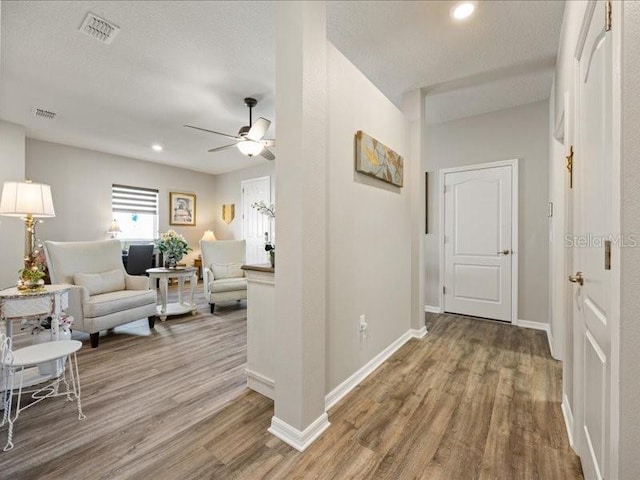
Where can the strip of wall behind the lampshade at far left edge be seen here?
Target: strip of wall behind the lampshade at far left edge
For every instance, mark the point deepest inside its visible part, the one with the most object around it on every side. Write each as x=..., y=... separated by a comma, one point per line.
x=12, y=231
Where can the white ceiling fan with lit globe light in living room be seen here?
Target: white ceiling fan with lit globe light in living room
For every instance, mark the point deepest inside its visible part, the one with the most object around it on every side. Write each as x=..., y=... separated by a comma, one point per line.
x=250, y=139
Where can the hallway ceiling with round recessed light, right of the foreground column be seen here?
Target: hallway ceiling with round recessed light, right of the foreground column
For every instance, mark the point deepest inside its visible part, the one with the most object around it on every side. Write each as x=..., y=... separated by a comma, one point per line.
x=501, y=57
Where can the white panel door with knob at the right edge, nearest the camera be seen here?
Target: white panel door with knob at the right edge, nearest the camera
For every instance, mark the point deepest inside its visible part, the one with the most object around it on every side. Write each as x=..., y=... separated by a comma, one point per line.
x=593, y=213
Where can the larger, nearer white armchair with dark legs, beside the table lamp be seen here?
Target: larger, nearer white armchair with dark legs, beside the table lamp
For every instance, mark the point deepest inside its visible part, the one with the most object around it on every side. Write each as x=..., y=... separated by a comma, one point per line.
x=103, y=295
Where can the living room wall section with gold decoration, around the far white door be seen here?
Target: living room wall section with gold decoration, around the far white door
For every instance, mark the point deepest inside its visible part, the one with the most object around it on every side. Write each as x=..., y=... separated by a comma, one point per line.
x=227, y=190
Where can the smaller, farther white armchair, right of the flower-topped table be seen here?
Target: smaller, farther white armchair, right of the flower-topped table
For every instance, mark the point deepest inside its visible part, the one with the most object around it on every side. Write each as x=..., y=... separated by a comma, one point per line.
x=223, y=276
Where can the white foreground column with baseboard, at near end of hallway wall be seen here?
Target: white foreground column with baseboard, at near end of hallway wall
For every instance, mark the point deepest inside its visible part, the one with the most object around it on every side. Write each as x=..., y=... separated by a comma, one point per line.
x=301, y=206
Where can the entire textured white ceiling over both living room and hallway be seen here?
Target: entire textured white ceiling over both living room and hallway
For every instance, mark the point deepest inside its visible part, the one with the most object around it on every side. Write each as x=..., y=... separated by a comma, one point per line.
x=194, y=62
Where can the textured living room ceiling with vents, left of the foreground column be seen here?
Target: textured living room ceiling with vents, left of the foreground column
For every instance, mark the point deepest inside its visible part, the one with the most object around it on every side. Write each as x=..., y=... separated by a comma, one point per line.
x=171, y=63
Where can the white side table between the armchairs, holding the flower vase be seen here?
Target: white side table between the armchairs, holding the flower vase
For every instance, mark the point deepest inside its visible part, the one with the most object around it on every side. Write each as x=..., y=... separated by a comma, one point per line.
x=163, y=275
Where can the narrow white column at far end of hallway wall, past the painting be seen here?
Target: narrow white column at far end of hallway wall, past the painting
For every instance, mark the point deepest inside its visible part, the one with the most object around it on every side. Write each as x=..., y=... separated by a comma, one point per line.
x=413, y=108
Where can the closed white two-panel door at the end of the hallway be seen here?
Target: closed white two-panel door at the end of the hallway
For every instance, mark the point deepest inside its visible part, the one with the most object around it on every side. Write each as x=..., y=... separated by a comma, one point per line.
x=478, y=242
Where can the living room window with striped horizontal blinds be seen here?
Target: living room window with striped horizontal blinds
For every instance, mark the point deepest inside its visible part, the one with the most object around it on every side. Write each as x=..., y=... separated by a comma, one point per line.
x=135, y=210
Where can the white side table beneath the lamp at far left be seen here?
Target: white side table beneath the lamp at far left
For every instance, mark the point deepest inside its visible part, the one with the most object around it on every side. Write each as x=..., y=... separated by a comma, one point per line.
x=18, y=304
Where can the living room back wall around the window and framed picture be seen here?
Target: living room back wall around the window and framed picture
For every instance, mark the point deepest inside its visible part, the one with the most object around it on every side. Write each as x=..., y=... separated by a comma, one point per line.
x=81, y=183
